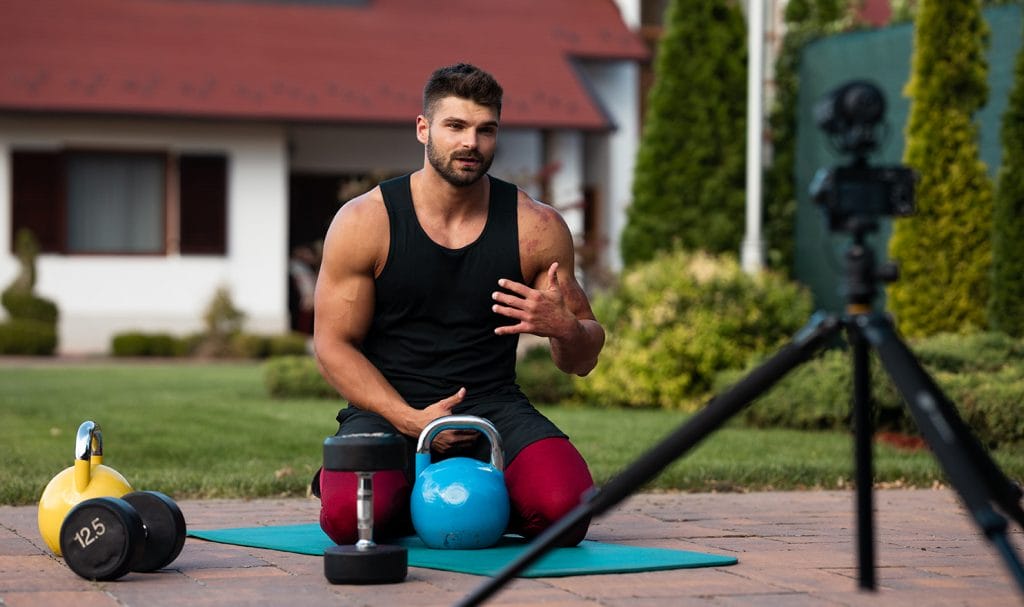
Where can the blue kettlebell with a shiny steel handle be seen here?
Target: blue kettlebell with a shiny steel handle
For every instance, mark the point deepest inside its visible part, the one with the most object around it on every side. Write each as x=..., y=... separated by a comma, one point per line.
x=460, y=503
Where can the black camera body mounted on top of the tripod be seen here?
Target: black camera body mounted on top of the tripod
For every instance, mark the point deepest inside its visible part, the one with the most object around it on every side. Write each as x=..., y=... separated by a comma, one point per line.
x=863, y=193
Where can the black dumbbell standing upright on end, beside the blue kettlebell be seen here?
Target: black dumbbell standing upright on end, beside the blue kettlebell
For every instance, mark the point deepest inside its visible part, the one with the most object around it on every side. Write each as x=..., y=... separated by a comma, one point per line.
x=365, y=562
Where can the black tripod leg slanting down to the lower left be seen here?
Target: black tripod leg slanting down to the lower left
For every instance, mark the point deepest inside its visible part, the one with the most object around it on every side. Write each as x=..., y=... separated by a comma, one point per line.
x=806, y=343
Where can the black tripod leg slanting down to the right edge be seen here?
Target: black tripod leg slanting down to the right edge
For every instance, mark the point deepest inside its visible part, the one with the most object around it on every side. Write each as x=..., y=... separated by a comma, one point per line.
x=975, y=476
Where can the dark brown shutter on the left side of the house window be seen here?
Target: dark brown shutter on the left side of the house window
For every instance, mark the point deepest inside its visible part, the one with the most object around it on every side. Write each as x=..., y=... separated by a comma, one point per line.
x=37, y=198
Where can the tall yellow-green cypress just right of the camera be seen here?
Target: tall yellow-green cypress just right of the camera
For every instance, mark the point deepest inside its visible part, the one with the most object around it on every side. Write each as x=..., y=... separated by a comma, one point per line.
x=945, y=250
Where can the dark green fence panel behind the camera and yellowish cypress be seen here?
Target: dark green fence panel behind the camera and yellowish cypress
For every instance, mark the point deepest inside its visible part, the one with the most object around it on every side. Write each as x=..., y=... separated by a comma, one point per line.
x=882, y=57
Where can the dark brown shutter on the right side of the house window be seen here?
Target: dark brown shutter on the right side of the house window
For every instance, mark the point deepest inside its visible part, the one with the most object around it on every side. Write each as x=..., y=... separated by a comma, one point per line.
x=203, y=191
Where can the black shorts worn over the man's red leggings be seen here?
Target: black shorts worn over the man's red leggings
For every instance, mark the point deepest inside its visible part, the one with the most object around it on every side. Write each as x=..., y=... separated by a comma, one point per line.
x=518, y=422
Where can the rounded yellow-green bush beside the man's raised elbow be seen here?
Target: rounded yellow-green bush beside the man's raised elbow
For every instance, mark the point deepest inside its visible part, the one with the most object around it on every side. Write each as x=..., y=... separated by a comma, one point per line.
x=673, y=324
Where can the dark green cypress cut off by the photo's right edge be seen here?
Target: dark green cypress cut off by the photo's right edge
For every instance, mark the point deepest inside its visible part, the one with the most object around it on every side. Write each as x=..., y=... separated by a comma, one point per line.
x=1006, y=308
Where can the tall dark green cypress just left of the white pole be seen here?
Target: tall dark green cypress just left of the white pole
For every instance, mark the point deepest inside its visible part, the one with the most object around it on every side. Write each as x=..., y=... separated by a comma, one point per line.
x=689, y=185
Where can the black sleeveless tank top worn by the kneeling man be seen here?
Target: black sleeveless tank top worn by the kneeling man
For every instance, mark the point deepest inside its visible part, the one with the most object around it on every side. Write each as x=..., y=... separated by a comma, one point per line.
x=434, y=330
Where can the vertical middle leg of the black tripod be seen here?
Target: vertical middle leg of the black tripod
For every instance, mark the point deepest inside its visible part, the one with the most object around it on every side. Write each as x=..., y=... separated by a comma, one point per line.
x=864, y=431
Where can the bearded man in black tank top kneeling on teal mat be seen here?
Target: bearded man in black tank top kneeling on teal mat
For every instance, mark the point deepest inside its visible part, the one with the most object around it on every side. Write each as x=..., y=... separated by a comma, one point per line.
x=428, y=281
